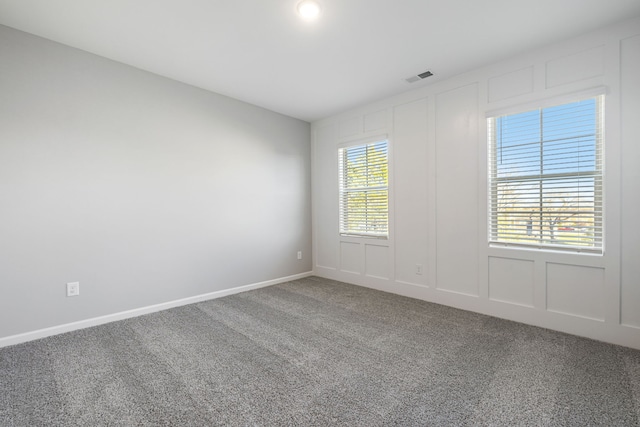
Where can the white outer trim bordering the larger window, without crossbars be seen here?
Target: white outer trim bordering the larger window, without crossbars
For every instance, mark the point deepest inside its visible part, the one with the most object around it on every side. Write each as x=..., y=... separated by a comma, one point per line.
x=599, y=197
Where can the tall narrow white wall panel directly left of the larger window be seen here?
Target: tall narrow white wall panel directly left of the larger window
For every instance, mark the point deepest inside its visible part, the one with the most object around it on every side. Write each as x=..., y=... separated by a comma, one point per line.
x=457, y=190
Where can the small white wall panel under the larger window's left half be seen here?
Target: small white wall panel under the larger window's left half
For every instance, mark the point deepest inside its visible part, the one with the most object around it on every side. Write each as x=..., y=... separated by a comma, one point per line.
x=511, y=280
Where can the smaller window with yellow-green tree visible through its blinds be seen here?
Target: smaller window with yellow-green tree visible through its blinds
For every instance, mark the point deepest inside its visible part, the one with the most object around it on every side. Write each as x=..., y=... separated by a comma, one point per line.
x=364, y=196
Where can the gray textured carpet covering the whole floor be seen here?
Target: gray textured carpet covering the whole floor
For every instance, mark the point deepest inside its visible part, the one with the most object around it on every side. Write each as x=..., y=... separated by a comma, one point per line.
x=315, y=352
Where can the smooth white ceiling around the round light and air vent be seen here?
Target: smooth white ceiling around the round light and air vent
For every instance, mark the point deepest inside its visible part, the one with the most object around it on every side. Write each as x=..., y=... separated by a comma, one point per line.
x=260, y=52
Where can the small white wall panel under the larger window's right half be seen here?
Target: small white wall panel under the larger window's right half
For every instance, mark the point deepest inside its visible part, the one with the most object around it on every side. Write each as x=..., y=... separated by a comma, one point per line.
x=575, y=290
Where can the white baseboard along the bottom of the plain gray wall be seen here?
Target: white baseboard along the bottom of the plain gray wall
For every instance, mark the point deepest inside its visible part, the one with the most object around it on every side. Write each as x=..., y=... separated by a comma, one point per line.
x=95, y=321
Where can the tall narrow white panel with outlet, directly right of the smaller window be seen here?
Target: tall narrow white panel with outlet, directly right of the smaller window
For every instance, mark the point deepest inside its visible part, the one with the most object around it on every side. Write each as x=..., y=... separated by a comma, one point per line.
x=410, y=190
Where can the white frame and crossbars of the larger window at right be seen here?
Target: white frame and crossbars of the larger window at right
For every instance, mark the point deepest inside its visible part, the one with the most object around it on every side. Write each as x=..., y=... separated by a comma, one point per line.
x=598, y=175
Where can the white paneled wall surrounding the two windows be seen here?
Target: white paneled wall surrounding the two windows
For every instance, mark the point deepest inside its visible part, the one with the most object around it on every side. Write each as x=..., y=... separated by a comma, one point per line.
x=438, y=194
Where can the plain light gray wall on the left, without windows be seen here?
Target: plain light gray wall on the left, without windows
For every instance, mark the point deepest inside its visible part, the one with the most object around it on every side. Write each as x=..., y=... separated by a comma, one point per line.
x=143, y=189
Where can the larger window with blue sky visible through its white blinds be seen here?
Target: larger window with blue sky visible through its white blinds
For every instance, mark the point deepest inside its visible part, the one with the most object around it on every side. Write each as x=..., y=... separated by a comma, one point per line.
x=546, y=177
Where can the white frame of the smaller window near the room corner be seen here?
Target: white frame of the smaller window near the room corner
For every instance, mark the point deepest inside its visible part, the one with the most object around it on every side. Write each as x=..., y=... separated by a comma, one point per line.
x=344, y=190
